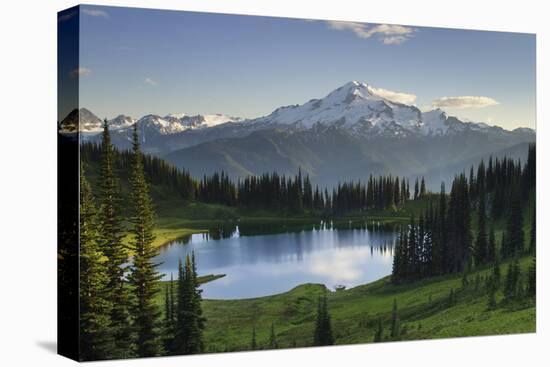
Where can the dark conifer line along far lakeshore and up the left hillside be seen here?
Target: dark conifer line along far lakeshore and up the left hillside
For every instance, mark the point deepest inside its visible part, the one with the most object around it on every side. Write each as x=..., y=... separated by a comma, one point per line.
x=269, y=191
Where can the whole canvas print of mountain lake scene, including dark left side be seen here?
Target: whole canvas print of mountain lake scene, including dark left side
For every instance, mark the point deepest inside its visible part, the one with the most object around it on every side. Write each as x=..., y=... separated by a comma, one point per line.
x=241, y=183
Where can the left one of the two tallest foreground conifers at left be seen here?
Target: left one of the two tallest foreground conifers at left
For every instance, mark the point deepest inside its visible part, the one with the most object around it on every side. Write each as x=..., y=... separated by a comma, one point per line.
x=112, y=246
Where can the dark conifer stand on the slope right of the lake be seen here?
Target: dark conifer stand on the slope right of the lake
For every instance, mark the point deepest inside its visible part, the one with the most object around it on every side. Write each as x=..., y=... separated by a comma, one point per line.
x=441, y=241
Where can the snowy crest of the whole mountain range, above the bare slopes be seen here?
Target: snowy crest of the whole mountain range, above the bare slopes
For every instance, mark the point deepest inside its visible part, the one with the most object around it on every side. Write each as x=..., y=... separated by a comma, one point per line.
x=358, y=108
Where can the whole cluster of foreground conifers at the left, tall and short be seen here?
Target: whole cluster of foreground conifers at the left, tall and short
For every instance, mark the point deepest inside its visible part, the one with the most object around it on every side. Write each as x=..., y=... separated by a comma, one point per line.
x=119, y=317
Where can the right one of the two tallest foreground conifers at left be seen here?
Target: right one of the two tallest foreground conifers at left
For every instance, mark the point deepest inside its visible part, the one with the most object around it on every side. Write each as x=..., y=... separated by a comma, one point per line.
x=143, y=272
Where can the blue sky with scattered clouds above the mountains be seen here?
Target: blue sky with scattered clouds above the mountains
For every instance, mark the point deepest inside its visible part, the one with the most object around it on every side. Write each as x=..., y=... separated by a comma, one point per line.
x=137, y=61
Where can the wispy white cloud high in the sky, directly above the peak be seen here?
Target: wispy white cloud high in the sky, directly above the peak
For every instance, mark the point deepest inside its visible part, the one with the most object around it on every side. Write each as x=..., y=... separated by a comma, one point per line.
x=389, y=34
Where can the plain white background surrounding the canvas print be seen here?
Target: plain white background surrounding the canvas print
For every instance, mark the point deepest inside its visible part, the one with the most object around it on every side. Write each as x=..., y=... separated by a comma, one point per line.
x=28, y=181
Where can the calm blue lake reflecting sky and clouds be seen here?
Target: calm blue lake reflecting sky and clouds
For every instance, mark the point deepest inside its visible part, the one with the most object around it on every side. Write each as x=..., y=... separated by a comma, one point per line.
x=265, y=264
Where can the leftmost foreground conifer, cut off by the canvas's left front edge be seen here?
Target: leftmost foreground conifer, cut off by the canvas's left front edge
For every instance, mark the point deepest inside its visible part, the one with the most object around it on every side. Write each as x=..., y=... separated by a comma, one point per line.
x=96, y=339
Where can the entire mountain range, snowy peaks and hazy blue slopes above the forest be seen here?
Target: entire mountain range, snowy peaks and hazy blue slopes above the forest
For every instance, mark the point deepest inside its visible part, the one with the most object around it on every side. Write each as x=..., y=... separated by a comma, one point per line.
x=349, y=134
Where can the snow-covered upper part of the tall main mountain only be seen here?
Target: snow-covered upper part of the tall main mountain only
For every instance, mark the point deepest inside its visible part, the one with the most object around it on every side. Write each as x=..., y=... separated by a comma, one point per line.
x=369, y=112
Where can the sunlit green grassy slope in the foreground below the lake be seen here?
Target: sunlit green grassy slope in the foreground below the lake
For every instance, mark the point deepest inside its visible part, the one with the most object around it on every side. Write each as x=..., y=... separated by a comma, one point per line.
x=422, y=306
